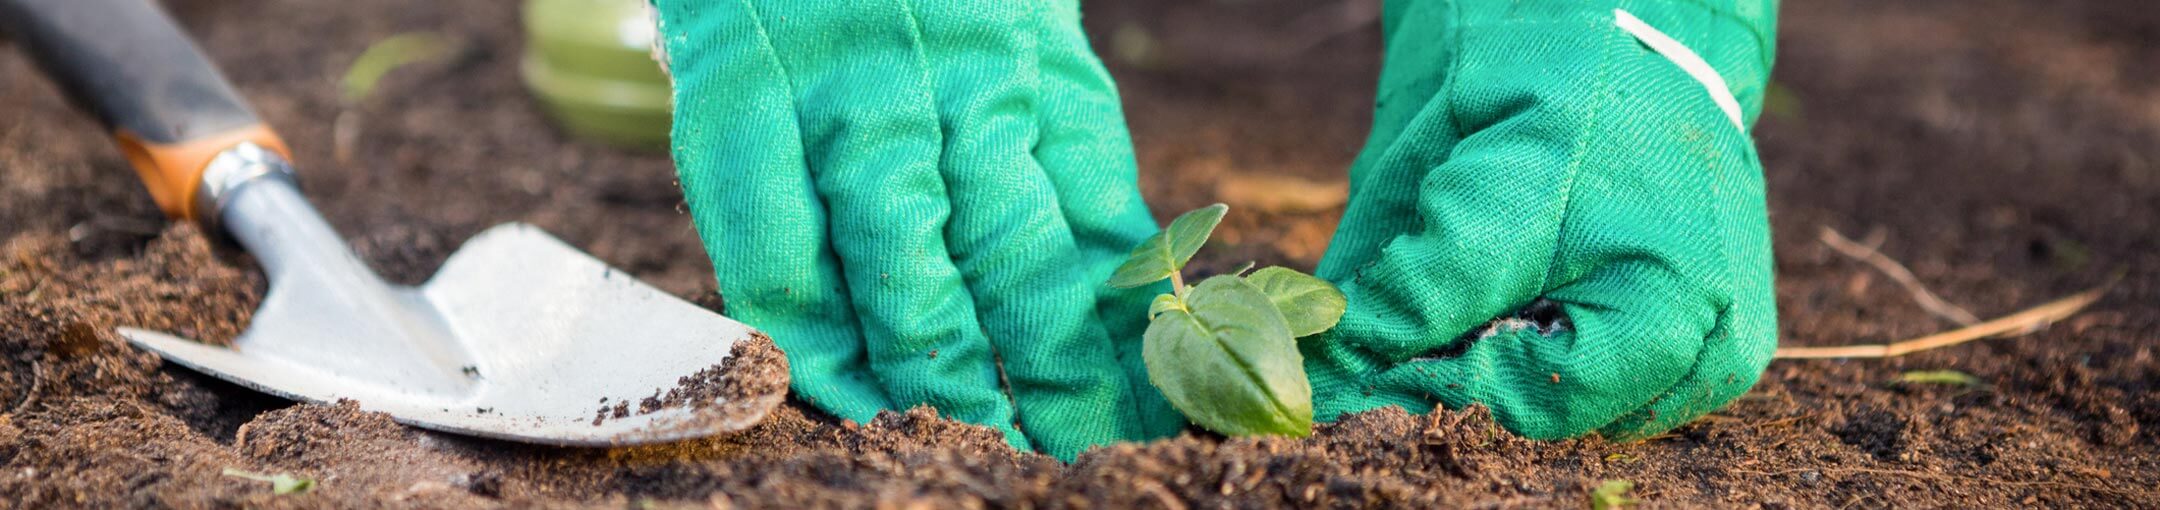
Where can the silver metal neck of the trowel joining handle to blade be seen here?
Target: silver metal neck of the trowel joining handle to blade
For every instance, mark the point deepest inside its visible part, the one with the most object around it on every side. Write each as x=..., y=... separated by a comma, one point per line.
x=256, y=200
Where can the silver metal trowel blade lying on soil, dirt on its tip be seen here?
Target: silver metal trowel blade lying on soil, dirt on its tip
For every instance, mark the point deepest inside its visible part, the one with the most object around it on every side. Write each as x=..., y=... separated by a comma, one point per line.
x=517, y=336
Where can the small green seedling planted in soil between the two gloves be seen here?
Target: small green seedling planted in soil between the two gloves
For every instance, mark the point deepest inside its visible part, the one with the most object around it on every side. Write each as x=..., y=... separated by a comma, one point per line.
x=1226, y=351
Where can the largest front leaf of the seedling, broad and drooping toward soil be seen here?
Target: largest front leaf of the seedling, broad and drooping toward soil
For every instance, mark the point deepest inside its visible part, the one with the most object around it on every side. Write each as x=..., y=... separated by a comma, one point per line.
x=1230, y=364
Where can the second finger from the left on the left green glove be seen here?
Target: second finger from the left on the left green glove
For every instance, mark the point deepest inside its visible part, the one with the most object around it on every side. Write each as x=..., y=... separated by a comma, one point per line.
x=872, y=137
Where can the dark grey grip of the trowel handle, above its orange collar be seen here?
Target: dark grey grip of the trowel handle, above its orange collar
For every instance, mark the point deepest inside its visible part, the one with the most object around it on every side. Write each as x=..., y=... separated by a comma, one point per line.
x=131, y=66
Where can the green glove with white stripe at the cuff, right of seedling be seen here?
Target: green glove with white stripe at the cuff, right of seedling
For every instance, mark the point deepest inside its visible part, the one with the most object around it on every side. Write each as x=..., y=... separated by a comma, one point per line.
x=1556, y=217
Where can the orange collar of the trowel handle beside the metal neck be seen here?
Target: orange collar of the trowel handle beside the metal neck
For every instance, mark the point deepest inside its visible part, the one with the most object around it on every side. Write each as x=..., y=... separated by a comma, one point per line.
x=174, y=172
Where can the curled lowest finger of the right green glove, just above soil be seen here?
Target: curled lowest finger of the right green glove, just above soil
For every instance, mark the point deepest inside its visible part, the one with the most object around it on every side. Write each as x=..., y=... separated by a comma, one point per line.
x=1634, y=332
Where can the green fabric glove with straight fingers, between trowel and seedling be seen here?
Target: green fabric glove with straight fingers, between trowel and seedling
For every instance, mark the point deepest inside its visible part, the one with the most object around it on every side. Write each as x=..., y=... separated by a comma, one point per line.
x=910, y=196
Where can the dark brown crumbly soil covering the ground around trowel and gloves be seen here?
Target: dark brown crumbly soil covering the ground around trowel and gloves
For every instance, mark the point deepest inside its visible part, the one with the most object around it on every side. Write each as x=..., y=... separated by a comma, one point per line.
x=2003, y=150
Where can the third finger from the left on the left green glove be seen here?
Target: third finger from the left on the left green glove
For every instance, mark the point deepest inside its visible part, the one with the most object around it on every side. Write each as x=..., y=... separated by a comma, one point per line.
x=1010, y=239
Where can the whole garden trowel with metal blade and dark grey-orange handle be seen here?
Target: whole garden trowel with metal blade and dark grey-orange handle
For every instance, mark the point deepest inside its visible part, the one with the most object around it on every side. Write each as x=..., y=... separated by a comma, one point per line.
x=519, y=336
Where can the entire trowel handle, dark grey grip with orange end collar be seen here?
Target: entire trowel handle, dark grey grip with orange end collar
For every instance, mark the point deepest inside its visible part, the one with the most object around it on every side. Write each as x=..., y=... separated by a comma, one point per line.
x=131, y=66
